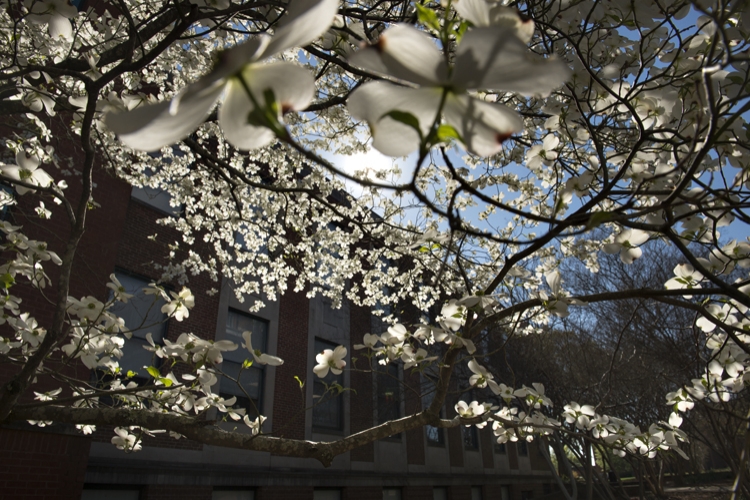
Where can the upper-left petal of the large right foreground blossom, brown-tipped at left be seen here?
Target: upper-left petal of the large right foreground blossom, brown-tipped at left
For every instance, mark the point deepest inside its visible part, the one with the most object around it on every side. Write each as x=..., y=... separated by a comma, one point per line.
x=405, y=53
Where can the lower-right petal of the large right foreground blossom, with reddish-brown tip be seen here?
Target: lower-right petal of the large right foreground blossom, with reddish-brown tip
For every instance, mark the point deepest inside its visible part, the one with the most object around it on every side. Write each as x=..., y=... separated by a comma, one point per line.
x=482, y=125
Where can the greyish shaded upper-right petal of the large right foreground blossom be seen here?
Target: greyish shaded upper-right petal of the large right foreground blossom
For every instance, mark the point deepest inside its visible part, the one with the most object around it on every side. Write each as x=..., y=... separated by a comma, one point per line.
x=487, y=58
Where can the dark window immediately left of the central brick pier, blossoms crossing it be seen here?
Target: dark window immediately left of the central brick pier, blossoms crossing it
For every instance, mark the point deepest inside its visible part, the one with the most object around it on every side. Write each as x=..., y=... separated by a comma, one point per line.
x=246, y=384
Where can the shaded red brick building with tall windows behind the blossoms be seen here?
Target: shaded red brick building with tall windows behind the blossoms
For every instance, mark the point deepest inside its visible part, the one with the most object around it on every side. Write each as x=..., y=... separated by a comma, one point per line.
x=424, y=464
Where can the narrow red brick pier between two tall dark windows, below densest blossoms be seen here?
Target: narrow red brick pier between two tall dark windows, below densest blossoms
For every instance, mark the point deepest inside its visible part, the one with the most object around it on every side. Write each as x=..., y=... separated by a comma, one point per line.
x=288, y=406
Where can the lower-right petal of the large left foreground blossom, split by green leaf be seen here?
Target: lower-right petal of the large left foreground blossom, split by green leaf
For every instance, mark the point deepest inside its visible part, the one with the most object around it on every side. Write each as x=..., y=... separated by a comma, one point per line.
x=292, y=86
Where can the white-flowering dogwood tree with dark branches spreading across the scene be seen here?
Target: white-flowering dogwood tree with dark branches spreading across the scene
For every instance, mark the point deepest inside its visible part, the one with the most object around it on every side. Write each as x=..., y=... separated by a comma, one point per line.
x=523, y=125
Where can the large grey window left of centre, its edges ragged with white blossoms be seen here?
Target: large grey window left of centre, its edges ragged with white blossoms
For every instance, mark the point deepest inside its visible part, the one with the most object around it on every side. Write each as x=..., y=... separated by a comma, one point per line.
x=142, y=315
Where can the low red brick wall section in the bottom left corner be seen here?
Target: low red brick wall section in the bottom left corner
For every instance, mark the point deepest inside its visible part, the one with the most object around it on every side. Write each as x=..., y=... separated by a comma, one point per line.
x=42, y=465
